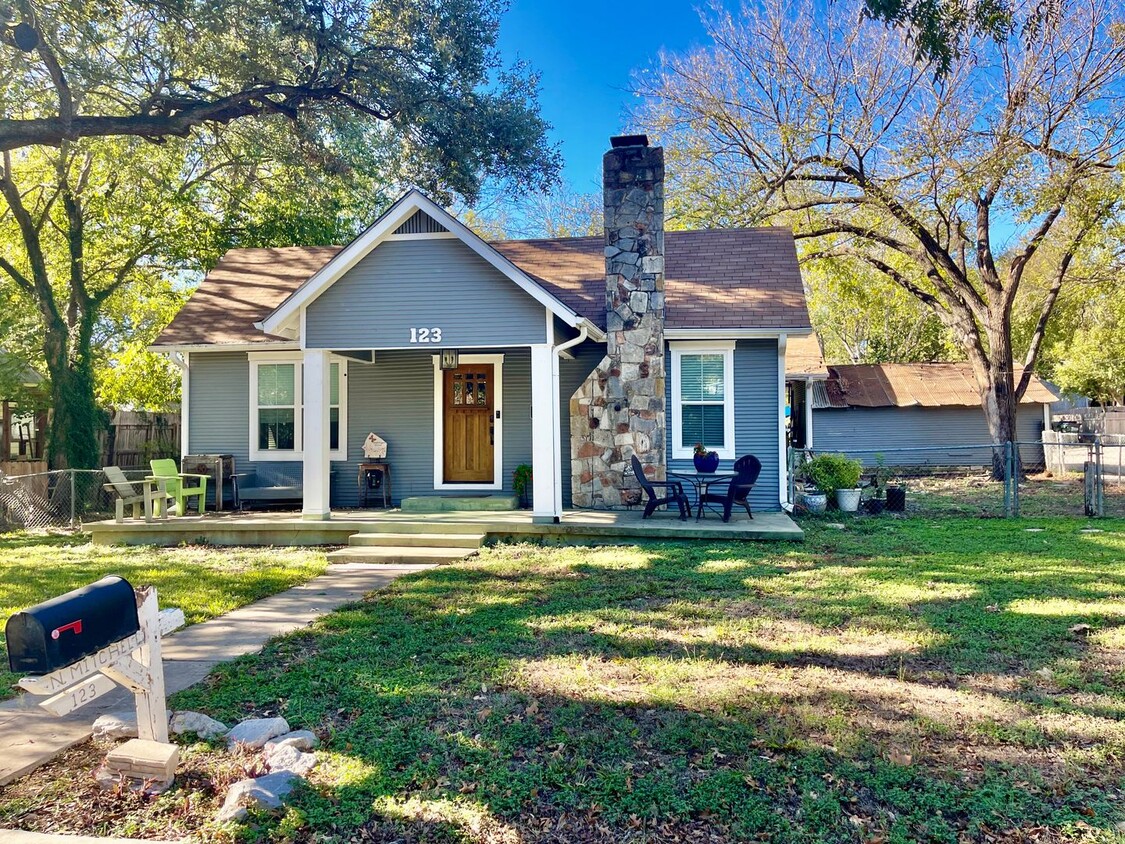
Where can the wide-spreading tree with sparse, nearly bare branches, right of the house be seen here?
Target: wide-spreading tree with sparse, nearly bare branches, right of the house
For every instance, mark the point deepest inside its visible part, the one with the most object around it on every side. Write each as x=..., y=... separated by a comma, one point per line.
x=950, y=187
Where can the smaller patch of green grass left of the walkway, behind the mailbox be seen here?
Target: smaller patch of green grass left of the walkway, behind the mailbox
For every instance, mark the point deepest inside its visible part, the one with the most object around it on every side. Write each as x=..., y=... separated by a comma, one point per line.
x=204, y=582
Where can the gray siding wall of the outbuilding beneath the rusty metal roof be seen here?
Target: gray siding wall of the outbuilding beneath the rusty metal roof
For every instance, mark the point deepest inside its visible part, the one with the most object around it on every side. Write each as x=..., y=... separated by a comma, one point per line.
x=935, y=429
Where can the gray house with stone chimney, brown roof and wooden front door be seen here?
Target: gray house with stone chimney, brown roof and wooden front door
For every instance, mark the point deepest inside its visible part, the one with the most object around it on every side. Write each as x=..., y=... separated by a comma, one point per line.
x=471, y=358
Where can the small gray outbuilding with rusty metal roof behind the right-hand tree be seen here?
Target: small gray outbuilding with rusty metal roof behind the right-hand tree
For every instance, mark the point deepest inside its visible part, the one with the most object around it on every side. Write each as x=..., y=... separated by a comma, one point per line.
x=928, y=408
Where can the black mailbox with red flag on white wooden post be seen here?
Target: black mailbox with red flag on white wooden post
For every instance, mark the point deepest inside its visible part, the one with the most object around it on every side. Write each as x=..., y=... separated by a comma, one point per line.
x=61, y=632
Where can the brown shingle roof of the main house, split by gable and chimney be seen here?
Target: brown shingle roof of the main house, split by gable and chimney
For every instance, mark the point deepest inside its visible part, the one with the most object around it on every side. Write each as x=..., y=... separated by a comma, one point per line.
x=735, y=279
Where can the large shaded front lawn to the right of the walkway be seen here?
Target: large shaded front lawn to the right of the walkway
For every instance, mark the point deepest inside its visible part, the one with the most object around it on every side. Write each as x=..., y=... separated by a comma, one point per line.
x=896, y=681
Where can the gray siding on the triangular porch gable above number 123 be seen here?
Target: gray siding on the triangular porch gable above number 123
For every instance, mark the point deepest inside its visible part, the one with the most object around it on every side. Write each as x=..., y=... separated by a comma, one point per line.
x=437, y=283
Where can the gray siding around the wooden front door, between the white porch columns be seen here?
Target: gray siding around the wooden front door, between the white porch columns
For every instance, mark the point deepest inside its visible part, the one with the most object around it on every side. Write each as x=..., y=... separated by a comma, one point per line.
x=394, y=398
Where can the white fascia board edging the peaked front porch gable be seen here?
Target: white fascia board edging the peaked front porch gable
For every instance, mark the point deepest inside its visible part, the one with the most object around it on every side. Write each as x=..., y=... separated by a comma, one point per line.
x=412, y=202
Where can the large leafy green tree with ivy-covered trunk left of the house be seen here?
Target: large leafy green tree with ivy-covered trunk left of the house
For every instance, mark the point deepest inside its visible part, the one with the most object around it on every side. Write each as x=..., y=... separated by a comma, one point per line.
x=114, y=156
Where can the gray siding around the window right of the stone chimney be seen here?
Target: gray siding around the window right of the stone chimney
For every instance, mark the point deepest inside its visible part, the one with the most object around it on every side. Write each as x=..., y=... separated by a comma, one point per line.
x=757, y=415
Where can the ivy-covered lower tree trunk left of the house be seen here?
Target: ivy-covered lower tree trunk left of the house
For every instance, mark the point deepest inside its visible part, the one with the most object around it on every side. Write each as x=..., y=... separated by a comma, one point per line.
x=73, y=441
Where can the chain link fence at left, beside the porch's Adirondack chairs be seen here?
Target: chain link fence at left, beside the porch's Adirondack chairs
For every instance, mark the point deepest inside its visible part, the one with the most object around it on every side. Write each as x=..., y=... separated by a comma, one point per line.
x=59, y=499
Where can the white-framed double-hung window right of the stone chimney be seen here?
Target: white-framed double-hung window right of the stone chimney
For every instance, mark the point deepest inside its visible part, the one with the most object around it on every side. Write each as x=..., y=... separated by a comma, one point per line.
x=704, y=399
